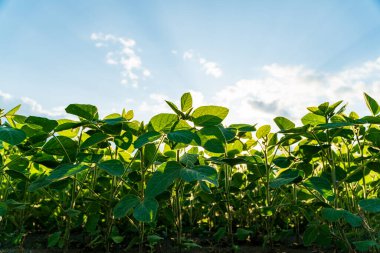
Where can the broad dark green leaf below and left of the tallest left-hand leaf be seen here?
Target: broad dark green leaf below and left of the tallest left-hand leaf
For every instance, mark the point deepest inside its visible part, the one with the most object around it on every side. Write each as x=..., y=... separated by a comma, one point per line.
x=61, y=145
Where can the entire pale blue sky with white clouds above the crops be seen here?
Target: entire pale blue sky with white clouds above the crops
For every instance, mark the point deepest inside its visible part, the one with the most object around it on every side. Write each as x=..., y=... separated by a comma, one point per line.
x=259, y=58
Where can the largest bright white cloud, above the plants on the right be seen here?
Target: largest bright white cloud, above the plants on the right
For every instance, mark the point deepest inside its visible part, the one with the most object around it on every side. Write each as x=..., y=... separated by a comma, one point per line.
x=288, y=90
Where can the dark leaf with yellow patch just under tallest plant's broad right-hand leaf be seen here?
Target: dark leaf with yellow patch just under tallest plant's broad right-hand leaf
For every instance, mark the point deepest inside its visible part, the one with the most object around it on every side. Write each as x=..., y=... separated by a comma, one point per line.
x=212, y=139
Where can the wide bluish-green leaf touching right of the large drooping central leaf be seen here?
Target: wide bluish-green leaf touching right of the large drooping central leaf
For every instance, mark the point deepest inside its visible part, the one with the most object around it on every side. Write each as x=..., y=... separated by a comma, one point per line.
x=198, y=173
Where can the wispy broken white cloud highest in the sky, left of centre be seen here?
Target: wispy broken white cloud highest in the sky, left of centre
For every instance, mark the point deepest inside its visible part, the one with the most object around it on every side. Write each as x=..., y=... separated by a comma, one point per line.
x=121, y=52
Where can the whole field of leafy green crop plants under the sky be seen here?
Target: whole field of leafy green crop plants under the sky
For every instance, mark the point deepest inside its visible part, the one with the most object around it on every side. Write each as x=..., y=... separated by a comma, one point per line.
x=185, y=180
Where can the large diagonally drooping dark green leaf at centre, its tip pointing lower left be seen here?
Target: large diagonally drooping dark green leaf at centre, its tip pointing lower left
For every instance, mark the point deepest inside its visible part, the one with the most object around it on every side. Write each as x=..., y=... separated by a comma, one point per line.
x=162, y=178
